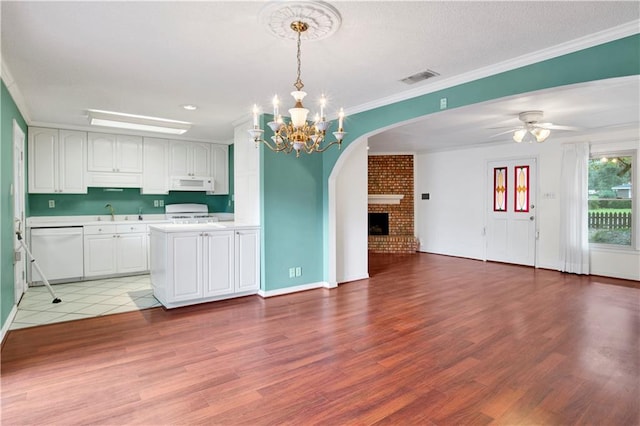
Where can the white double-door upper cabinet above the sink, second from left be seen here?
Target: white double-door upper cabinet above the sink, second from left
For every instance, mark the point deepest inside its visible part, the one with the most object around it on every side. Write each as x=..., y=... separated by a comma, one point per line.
x=114, y=153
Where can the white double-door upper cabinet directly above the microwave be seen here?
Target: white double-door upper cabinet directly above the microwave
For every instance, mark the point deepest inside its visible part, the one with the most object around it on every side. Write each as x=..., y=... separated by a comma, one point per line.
x=189, y=159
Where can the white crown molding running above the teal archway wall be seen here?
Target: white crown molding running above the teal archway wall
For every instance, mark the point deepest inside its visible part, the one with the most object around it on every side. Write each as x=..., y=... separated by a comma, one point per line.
x=591, y=40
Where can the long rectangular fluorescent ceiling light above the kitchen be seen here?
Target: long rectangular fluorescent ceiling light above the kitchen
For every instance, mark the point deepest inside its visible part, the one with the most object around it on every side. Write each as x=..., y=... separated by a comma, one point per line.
x=137, y=122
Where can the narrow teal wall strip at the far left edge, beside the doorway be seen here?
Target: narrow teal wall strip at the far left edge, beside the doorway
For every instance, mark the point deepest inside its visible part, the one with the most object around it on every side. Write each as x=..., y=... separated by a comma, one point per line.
x=8, y=112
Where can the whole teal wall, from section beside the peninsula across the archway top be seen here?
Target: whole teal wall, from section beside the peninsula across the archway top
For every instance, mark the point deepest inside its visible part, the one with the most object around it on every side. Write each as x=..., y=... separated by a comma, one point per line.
x=290, y=186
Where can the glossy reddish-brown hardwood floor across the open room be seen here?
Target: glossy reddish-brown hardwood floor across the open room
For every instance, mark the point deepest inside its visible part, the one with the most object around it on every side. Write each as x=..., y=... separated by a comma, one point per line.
x=429, y=340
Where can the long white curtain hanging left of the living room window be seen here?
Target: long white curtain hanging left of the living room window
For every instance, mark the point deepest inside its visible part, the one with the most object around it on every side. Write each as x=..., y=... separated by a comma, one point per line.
x=574, y=215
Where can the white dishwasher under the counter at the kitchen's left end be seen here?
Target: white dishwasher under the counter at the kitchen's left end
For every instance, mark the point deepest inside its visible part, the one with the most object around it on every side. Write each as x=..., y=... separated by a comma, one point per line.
x=59, y=252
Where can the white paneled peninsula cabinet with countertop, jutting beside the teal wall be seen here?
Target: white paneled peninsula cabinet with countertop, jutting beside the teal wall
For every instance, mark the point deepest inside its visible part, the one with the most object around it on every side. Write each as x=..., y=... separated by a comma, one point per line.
x=204, y=262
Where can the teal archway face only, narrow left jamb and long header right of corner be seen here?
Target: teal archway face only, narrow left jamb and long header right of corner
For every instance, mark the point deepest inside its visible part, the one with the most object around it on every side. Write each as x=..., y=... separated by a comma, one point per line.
x=618, y=58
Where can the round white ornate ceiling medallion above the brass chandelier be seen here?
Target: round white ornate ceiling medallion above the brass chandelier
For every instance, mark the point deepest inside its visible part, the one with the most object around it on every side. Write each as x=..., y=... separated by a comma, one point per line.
x=321, y=18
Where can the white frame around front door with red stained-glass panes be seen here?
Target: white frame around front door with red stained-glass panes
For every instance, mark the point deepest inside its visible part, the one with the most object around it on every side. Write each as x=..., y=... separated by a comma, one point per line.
x=536, y=193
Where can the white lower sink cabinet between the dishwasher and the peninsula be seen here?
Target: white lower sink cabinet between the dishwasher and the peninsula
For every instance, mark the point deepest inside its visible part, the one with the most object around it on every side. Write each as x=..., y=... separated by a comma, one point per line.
x=114, y=249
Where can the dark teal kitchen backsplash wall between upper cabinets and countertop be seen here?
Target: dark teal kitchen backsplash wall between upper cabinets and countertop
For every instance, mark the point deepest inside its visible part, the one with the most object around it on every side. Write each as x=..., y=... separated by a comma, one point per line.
x=126, y=202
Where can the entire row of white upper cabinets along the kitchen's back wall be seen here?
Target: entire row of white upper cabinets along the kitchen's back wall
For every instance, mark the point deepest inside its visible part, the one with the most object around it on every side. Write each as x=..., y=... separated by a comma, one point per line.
x=68, y=161
